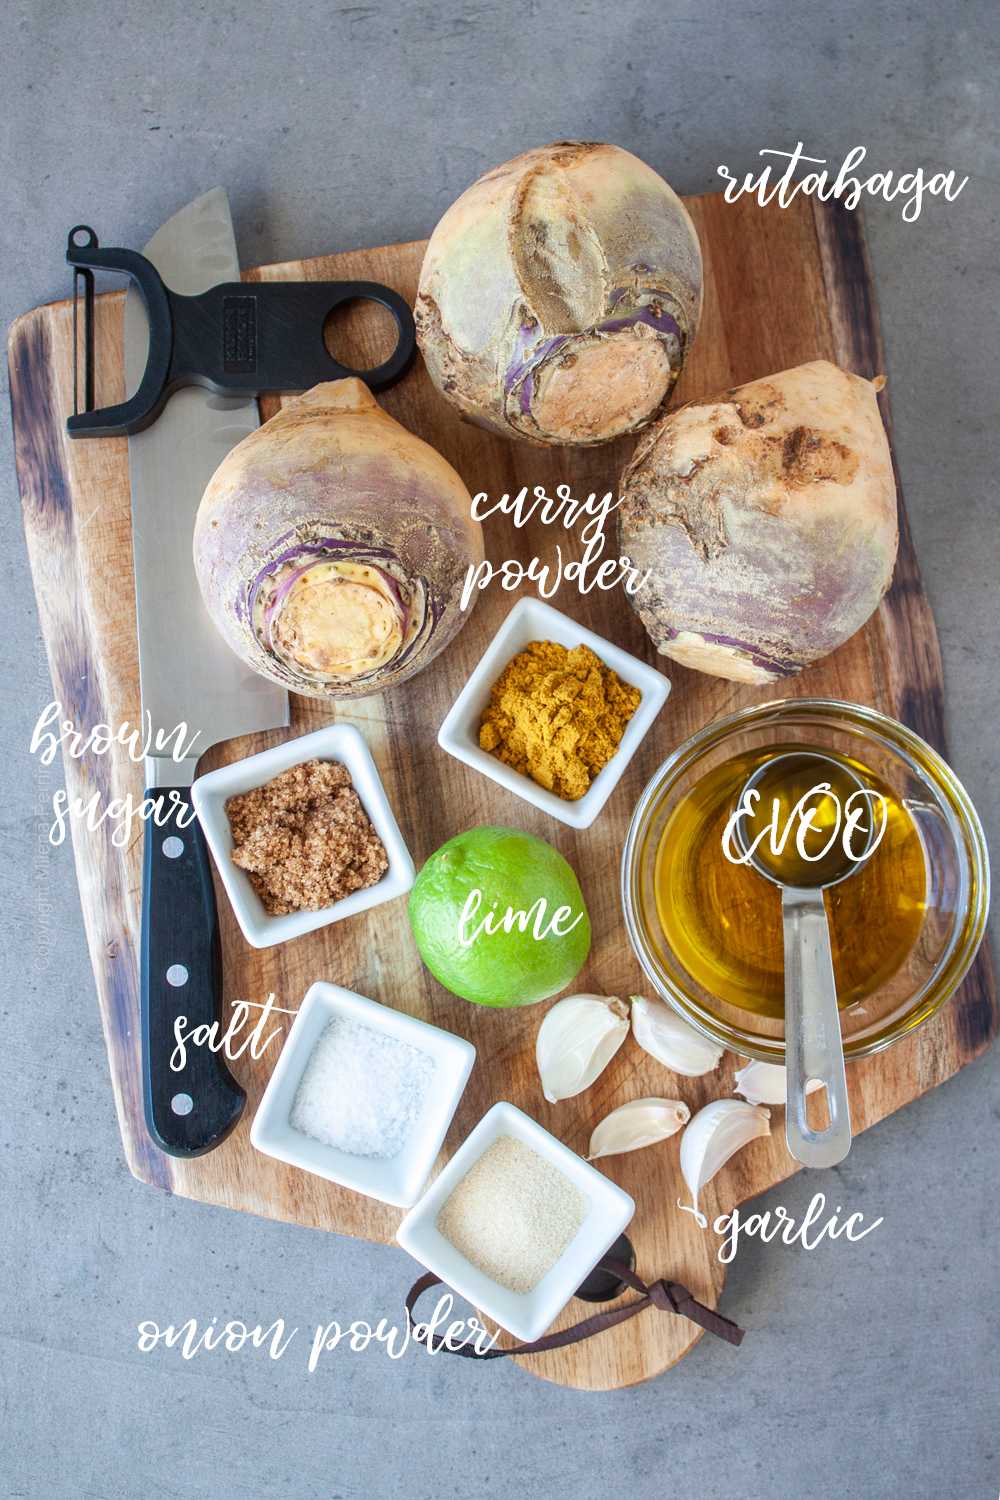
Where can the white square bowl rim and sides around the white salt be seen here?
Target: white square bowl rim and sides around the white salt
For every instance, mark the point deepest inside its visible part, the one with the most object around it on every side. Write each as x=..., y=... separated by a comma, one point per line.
x=395, y=1180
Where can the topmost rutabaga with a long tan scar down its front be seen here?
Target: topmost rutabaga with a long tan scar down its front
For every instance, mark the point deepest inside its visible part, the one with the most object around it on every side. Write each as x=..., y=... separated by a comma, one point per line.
x=560, y=296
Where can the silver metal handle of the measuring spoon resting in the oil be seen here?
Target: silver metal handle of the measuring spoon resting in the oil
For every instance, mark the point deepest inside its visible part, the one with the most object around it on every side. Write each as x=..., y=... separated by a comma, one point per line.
x=812, y=1030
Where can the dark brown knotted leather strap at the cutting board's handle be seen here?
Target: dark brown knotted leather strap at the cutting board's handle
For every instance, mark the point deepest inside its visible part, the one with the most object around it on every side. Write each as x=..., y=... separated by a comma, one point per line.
x=668, y=1297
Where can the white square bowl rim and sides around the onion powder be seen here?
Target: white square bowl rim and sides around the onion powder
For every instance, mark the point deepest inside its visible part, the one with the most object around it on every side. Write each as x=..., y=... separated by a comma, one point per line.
x=525, y=1315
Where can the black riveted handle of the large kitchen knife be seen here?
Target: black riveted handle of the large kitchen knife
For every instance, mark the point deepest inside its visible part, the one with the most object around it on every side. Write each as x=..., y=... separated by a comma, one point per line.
x=193, y=1102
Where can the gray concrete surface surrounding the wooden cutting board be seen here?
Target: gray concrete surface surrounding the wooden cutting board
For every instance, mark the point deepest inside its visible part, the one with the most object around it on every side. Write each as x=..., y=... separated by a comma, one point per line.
x=869, y=1372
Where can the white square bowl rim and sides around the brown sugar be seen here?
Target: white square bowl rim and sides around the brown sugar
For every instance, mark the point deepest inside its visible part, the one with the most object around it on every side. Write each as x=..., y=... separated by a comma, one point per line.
x=212, y=793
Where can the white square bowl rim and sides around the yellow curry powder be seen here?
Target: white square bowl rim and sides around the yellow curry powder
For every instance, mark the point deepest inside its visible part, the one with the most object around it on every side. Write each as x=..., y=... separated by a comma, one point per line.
x=533, y=620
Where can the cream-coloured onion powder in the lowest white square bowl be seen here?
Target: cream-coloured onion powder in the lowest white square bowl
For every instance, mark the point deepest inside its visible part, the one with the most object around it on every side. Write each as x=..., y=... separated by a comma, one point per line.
x=513, y=1214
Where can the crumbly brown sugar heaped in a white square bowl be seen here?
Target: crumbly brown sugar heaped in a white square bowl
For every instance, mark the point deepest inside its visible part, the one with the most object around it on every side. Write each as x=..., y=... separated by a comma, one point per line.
x=305, y=841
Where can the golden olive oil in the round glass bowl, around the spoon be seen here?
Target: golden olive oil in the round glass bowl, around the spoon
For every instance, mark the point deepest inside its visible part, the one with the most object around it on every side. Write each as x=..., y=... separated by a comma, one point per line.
x=723, y=920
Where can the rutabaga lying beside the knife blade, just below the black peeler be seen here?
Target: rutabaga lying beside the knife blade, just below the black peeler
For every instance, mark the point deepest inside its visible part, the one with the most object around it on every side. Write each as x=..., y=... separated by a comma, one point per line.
x=332, y=545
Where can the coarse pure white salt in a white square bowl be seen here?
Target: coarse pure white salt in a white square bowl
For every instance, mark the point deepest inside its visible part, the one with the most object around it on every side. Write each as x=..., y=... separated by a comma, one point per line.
x=362, y=1091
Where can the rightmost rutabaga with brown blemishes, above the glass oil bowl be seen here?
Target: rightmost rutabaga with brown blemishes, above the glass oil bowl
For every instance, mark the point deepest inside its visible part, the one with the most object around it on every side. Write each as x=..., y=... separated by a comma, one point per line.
x=767, y=521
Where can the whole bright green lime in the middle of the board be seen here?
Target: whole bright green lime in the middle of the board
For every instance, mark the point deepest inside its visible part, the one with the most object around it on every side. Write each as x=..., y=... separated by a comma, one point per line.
x=527, y=932
